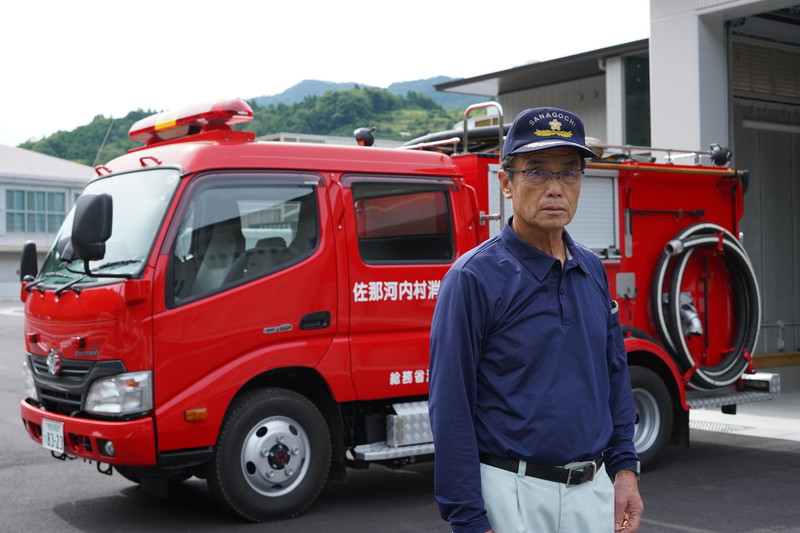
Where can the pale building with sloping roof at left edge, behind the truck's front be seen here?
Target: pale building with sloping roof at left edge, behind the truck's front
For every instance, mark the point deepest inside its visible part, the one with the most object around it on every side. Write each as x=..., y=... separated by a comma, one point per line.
x=38, y=191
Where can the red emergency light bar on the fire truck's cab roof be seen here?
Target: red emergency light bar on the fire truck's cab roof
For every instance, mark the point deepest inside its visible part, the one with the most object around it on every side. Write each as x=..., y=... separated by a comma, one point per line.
x=214, y=116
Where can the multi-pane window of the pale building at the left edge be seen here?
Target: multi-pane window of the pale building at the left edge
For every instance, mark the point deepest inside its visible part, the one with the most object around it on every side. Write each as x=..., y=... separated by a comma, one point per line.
x=34, y=211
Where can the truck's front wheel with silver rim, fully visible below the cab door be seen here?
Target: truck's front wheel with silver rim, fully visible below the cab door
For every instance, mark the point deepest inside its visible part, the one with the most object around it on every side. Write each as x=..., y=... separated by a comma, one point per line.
x=272, y=456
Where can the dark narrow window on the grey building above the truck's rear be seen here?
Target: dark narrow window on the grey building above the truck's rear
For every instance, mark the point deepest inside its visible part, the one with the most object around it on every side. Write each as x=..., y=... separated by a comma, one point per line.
x=637, y=99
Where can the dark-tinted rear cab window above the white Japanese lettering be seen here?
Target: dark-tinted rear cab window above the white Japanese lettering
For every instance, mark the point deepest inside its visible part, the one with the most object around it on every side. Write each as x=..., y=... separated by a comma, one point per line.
x=403, y=223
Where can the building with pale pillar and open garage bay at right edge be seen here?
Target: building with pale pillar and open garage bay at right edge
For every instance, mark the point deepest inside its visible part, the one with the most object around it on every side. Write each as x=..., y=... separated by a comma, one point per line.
x=706, y=87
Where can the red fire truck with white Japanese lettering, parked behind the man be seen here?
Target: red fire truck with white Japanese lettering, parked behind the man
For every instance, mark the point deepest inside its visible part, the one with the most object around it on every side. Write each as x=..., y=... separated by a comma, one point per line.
x=257, y=313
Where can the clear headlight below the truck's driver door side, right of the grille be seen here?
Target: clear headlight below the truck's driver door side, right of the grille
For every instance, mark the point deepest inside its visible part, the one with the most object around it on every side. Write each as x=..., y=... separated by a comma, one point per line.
x=121, y=394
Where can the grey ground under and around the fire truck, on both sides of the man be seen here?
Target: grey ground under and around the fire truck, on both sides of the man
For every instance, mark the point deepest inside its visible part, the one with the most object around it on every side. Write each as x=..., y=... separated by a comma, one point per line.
x=741, y=474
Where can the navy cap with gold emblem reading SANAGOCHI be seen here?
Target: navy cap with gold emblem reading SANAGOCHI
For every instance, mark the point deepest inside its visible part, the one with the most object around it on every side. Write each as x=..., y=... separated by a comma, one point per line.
x=541, y=128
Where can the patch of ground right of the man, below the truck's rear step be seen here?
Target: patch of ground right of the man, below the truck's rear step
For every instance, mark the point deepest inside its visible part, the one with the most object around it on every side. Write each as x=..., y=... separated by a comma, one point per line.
x=725, y=482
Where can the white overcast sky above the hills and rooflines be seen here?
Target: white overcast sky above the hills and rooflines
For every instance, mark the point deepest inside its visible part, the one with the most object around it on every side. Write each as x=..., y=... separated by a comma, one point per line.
x=66, y=62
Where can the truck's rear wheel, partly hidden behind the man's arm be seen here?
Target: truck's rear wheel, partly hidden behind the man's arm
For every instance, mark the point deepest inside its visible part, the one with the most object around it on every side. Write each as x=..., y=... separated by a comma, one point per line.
x=653, y=414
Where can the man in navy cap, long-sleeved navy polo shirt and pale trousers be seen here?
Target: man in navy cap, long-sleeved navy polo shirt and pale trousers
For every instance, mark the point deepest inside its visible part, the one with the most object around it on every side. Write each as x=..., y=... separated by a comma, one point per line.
x=530, y=399
